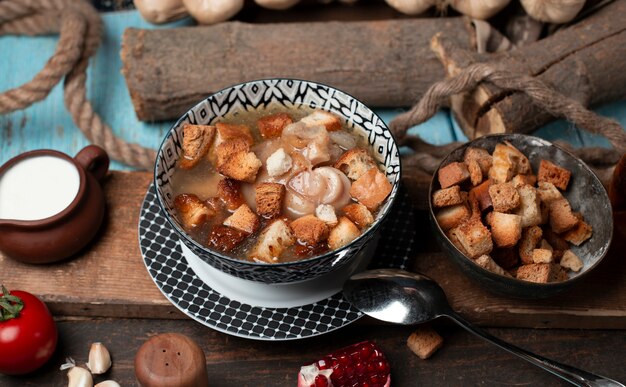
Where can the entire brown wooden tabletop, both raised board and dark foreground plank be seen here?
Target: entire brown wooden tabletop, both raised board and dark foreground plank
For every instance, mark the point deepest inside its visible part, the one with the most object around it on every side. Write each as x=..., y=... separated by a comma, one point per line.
x=105, y=294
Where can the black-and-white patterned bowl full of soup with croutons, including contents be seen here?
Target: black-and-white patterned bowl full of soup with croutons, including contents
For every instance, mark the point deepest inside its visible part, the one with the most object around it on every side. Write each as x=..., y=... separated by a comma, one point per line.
x=277, y=180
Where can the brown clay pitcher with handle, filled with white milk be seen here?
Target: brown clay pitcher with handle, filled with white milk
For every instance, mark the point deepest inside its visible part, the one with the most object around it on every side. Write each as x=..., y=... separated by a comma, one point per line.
x=51, y=205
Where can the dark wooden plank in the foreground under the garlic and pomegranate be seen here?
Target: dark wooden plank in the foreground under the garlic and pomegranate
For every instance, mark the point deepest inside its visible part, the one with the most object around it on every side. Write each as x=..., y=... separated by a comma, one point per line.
x=464, y=360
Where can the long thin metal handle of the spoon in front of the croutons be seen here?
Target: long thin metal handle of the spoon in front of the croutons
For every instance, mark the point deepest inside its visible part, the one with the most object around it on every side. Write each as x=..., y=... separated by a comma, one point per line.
x=571, y=374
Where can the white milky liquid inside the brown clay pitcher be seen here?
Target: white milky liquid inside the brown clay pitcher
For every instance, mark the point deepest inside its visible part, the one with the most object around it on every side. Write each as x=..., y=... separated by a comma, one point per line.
x=37, y=188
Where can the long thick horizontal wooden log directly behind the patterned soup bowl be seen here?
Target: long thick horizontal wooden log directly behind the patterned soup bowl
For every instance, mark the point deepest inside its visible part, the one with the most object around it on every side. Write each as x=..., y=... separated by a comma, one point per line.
x=383, y=63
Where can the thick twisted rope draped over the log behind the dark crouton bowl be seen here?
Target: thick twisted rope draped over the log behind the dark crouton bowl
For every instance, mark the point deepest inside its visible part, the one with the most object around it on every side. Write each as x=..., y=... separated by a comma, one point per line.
x=545, y=97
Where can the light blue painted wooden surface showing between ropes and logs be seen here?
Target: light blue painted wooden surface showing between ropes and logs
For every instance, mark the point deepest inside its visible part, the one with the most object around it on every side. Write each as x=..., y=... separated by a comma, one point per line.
x=47, y=124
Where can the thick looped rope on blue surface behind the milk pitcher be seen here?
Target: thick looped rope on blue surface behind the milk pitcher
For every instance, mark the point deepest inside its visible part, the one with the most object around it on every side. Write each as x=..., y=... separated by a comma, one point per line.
x=80, y=29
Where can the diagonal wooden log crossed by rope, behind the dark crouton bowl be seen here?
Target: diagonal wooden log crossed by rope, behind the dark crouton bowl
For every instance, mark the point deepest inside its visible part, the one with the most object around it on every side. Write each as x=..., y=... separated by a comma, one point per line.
x=584, y=62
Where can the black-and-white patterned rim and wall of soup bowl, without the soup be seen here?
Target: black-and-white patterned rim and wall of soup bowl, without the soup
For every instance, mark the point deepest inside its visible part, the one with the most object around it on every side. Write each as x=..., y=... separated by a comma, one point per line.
x=290, y=93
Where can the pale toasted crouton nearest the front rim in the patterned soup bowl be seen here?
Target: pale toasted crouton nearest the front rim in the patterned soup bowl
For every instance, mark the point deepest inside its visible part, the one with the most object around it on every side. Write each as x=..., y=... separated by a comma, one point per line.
x=272, y=241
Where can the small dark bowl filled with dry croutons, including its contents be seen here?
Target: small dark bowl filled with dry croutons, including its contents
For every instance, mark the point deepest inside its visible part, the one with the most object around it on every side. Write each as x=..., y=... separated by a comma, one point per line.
x=520, y=215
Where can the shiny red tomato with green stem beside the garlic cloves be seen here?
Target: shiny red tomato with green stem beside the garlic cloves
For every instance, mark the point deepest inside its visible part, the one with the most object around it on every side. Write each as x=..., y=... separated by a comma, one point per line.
x=28, y=340
